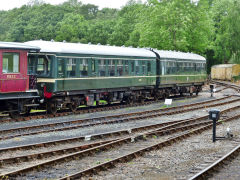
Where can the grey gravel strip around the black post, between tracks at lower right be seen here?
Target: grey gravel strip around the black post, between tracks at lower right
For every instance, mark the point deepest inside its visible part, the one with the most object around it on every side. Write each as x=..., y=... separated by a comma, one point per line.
x=178, y=161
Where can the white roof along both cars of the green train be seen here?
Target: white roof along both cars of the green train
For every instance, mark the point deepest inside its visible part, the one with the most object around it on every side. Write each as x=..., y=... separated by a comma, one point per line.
x=105, y=50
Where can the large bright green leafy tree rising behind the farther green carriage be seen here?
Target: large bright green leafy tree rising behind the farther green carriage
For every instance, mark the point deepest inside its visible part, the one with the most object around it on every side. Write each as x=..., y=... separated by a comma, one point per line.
x=175, y=25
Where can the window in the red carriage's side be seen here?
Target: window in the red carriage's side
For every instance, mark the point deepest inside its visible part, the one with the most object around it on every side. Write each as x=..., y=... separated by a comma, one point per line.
x=10, y=63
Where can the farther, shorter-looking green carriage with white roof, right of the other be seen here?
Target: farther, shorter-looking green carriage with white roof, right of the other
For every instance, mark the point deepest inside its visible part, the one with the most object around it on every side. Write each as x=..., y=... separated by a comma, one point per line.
x=182, y=70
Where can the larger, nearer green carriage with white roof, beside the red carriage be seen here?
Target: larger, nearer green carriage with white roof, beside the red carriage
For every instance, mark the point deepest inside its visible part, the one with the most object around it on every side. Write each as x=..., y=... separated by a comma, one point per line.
x=73, y=74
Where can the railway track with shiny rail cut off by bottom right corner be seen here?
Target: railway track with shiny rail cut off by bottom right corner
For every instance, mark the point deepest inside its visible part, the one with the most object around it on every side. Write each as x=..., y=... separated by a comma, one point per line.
x=216, y=169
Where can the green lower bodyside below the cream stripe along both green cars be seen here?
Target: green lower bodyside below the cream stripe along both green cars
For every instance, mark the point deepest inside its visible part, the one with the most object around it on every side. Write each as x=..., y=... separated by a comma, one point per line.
x=110, y=83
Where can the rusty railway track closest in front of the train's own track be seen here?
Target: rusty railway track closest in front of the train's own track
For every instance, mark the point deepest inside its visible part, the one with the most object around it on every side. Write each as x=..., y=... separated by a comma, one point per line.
x=81, y=123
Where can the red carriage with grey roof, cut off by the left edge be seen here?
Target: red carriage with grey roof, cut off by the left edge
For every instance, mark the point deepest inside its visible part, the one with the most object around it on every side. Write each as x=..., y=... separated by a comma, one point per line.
x=16, y=93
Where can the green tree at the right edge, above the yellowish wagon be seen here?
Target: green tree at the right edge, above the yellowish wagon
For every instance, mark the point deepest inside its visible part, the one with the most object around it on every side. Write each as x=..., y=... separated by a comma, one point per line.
x=227, y=30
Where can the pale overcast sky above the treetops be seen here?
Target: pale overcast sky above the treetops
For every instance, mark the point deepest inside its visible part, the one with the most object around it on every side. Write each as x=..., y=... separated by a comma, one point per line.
x=10, y=4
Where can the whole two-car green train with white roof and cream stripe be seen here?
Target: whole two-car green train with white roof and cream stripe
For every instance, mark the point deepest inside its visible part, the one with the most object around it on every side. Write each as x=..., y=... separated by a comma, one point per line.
x=71, y=74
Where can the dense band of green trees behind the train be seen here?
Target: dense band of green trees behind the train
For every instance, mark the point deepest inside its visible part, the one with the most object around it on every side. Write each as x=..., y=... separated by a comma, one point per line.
x=207, y=27
